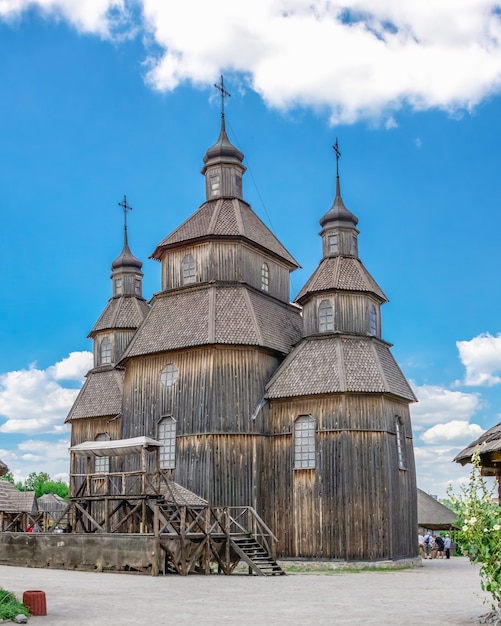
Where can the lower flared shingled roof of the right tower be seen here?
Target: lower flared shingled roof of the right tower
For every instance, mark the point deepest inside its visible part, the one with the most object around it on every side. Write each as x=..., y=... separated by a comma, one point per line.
x=336, y=364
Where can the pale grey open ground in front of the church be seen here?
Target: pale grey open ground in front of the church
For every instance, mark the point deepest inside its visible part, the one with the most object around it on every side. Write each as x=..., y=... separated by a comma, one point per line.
x=439, y=592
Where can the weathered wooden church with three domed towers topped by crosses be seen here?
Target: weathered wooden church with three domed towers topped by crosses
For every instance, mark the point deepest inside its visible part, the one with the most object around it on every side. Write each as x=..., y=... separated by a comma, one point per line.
x=298, y=410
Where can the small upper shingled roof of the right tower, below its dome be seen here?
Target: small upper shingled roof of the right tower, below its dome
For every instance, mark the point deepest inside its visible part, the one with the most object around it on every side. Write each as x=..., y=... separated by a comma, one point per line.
x=342, y=274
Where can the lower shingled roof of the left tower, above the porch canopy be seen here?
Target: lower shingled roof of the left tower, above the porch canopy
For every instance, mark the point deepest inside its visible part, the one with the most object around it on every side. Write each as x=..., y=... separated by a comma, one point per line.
x=100, y=396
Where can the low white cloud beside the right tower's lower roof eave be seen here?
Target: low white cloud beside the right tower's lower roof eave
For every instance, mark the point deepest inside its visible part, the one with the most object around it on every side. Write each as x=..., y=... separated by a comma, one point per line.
x=438, y=405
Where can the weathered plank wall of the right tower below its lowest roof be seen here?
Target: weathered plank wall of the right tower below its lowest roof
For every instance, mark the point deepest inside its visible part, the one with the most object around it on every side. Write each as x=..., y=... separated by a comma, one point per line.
x=343, y=508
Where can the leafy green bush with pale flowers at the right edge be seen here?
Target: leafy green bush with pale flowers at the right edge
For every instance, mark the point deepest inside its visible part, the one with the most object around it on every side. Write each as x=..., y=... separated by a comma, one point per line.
x=480, y=528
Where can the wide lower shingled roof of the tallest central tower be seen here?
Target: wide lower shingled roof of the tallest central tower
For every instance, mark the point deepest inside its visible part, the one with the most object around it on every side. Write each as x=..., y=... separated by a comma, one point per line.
x=216, y=314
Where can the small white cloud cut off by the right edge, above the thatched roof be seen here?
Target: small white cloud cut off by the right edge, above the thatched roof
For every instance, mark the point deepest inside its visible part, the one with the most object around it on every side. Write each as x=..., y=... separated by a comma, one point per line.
x=482, y=358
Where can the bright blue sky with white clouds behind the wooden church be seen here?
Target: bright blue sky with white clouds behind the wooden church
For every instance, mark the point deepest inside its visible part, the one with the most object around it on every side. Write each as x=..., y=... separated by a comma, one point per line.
x=103, y=98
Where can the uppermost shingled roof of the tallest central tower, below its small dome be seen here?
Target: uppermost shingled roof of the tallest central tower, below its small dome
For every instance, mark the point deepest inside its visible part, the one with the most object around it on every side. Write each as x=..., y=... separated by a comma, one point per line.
x=225, y=217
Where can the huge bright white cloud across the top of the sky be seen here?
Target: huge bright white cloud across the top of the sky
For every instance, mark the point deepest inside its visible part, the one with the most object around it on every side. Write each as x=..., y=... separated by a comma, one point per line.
x=355, y=59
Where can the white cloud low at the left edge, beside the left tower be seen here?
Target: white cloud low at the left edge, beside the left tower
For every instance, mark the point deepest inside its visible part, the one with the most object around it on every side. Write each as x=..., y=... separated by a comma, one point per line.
x=32, y=401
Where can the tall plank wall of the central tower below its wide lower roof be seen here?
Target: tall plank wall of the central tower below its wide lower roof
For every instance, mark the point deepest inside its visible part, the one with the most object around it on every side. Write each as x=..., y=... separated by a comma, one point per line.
x=218, y=447
